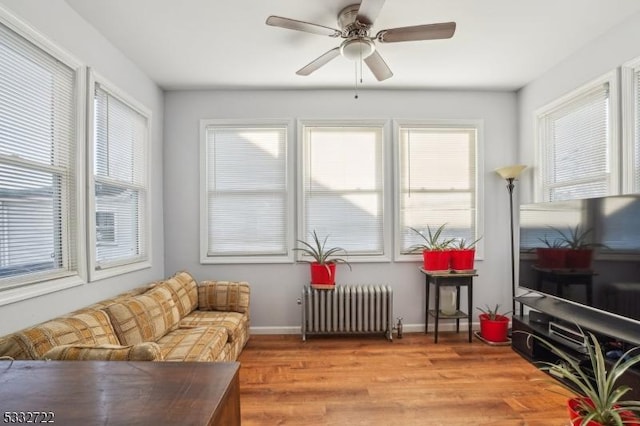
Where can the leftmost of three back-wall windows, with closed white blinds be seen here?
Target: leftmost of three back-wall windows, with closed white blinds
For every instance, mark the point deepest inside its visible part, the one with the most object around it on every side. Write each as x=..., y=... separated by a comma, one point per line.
x=246, y=206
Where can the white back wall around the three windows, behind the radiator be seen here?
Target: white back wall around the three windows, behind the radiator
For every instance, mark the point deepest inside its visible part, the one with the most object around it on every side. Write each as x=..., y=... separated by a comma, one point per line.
x=275, y=288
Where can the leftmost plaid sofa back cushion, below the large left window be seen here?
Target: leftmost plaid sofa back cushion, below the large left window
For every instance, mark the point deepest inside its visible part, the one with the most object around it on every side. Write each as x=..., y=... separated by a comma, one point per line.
x=88, y=327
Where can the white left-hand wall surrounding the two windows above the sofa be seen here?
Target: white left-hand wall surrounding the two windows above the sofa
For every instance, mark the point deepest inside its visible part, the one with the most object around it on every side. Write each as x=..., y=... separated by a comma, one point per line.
x=59, y=23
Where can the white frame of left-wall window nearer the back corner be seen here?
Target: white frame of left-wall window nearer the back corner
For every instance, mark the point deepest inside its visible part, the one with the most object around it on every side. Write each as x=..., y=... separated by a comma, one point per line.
x=97, y=272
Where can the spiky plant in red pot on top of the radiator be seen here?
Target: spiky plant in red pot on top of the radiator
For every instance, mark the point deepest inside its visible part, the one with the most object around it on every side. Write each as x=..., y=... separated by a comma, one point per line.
x=323, y=265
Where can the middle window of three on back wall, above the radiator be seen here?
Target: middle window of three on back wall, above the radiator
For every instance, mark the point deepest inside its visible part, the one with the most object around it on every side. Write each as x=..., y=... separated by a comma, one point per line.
x=342, y=191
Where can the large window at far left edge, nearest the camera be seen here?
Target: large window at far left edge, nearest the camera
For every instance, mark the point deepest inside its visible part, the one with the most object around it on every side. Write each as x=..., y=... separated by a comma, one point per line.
x=40, y=185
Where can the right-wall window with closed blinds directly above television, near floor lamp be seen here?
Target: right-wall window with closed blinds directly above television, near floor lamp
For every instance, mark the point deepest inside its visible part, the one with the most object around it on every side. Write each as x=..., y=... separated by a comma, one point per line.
x=578, y=144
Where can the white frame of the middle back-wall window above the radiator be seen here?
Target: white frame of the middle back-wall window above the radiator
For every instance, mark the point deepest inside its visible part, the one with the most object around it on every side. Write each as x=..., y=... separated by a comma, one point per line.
x=385, y=126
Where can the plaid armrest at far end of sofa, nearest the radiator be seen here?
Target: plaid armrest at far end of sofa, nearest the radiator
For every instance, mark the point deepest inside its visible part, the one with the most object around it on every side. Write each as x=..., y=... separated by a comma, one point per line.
x=224, y=296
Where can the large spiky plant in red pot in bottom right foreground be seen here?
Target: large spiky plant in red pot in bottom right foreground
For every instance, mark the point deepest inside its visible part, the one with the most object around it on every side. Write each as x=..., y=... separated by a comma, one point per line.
x=600, y=400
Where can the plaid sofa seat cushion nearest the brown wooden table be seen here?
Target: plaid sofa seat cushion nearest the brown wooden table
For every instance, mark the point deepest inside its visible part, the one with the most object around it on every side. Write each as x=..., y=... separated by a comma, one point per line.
x=193, y=344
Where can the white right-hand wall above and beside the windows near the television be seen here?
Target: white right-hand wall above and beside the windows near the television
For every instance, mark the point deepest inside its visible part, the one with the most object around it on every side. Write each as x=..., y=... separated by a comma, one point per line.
x=602, y=55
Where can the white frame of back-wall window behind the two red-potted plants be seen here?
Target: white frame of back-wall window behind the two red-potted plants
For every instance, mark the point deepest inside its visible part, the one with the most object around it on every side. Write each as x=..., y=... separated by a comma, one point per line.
x=478, y=125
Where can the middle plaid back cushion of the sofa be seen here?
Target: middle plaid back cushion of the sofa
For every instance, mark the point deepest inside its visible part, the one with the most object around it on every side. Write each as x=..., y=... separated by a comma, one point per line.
x=144, y=318
